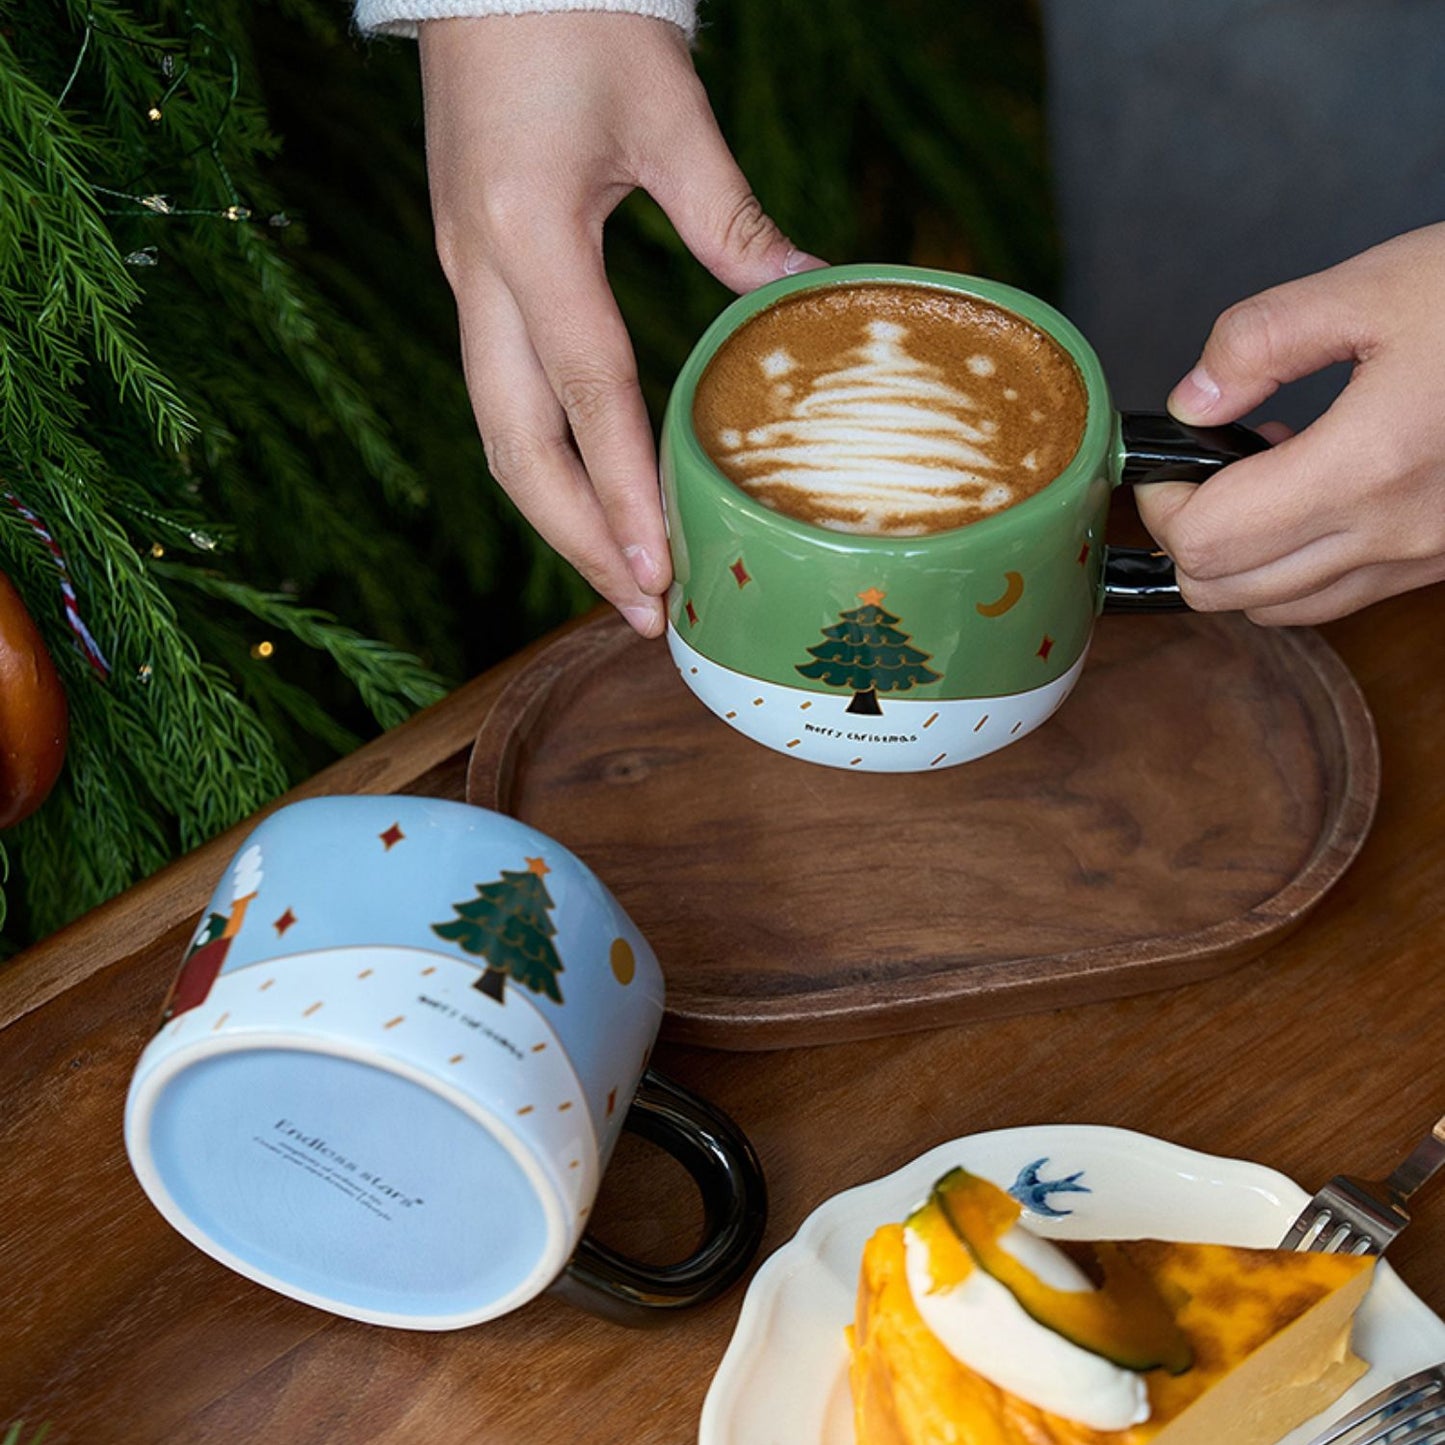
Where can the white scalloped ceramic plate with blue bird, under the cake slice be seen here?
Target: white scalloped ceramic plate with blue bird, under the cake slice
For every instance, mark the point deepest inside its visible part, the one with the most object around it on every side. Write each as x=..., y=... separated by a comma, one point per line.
x=784, y=1379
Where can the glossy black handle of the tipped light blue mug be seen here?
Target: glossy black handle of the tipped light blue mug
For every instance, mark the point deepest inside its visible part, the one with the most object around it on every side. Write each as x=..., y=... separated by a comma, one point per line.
x=735, y=1207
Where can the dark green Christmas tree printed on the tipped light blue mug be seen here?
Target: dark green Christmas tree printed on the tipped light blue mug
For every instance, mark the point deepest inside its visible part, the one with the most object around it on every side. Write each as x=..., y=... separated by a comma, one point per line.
x=508, y=926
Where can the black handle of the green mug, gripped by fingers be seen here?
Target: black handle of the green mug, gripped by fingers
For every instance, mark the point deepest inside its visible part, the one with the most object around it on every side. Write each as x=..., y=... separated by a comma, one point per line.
x=1158, y=449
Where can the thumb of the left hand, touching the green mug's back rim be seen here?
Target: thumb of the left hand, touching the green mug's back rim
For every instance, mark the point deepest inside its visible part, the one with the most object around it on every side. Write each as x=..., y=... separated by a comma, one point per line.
x=720, y=220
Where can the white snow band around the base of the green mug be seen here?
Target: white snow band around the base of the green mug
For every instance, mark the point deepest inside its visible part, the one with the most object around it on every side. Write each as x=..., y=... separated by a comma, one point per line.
x=904, y=736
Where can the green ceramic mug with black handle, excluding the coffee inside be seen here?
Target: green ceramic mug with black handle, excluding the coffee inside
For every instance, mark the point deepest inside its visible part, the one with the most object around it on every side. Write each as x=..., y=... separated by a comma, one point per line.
x=907, y=654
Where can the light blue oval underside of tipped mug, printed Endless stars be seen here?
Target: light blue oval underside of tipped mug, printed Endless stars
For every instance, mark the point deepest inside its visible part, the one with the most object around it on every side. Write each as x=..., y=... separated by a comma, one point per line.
x=345, y=1184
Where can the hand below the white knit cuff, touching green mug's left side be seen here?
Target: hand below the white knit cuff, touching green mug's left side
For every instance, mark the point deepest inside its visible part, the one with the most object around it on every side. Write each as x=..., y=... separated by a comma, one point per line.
x=537, y=128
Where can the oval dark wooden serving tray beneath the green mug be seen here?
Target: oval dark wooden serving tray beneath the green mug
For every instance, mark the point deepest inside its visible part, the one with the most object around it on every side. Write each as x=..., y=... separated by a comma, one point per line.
x=1199, y=794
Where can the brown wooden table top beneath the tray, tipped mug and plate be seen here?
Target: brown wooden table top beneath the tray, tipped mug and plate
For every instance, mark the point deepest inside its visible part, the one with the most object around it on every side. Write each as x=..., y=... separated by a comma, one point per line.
x=1323, y=1054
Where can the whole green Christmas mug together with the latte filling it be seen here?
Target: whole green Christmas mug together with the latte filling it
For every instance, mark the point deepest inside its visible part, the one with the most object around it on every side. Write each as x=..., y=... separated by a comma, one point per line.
x=887, y=493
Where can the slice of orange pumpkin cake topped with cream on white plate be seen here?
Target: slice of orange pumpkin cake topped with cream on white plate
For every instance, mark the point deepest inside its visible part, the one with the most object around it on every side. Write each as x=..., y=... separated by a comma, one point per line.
x=973, y=1332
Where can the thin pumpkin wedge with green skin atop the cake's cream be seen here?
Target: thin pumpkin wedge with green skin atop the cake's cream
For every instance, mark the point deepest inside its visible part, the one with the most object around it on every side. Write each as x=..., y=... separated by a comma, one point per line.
x=1126, y=1321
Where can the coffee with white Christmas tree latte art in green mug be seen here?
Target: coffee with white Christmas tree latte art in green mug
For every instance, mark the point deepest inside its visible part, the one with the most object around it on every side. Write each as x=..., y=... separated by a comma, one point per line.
x=889, y=410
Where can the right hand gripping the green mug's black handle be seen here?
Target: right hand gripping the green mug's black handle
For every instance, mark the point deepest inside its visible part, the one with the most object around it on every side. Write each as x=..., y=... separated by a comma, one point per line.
x=1352, y=509
